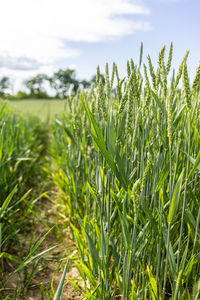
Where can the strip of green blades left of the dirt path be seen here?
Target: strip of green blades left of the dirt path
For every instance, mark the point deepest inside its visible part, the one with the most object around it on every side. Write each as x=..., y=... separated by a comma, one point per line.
x=23, y=150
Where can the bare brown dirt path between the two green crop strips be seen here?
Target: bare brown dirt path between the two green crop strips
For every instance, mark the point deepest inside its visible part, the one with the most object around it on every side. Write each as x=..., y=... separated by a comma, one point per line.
x=51, y=271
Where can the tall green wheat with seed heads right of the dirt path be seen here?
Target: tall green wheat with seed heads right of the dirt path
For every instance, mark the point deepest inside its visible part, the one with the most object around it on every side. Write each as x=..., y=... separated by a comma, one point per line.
x=127, y=162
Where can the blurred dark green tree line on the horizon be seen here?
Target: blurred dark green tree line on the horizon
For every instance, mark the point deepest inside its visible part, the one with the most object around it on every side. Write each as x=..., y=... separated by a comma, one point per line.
x=42, y=86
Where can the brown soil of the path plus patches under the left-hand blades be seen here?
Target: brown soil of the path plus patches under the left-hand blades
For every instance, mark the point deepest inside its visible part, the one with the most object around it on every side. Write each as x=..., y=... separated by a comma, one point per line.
x=51, y=265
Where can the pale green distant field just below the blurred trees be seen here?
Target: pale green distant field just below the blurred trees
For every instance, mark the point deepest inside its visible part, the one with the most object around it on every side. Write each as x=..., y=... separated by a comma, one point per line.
x=44, y=109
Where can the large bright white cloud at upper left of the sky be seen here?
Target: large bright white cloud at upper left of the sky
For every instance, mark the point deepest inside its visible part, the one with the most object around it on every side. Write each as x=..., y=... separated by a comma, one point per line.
x=34, y=33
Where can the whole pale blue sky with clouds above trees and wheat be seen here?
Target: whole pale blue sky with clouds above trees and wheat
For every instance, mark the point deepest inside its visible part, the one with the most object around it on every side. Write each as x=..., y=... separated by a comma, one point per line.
x=42, y=36
